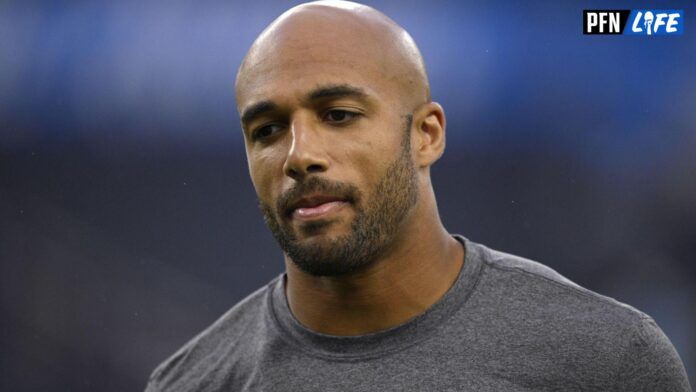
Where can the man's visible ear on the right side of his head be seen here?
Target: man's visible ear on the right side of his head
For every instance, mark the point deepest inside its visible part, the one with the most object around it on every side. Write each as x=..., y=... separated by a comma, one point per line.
x=428, y=139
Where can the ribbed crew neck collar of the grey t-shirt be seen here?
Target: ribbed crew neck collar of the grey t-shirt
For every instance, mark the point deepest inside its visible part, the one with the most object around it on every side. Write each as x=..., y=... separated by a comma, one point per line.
x=381, y=342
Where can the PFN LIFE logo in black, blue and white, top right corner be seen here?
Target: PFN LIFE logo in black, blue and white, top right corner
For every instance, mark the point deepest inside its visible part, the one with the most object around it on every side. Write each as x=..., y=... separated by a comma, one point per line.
x=633, y=22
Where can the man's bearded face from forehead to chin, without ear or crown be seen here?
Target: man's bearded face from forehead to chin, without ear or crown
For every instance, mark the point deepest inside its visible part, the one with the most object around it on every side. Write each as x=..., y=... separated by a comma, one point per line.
x=328, y=147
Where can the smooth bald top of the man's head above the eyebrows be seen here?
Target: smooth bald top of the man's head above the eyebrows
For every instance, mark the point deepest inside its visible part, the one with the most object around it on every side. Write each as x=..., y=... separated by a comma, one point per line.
x=331, y=35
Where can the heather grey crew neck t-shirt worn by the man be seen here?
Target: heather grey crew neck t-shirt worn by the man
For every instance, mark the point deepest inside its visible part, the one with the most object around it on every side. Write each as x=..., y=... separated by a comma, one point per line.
x=506, y=324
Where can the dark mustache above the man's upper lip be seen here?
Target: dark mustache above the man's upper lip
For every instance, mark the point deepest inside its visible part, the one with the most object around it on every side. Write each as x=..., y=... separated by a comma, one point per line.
x=314, y=185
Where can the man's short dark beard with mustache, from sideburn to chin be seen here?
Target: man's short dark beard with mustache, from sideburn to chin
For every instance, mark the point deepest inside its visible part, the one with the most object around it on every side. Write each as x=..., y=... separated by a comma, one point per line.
x=373, y=229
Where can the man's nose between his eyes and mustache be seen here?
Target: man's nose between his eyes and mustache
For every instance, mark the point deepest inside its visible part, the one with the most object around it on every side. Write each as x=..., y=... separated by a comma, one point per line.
x=307, y=152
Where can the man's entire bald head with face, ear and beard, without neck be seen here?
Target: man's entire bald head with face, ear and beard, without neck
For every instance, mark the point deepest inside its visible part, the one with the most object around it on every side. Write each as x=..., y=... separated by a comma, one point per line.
x=335, y=109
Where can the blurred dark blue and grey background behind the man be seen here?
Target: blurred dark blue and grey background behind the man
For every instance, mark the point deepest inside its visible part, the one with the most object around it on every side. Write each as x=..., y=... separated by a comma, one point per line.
x=128, y=221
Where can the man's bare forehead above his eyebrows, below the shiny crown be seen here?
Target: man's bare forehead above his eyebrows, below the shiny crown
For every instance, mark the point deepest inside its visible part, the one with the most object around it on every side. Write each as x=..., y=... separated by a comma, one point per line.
x=283, y=67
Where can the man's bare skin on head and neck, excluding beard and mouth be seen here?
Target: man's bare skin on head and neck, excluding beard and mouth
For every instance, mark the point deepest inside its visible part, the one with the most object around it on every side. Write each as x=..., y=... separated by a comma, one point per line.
x=328, y=44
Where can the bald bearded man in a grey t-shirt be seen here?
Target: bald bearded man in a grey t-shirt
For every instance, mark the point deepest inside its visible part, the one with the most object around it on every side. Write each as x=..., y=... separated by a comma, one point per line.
x=340, y=133
